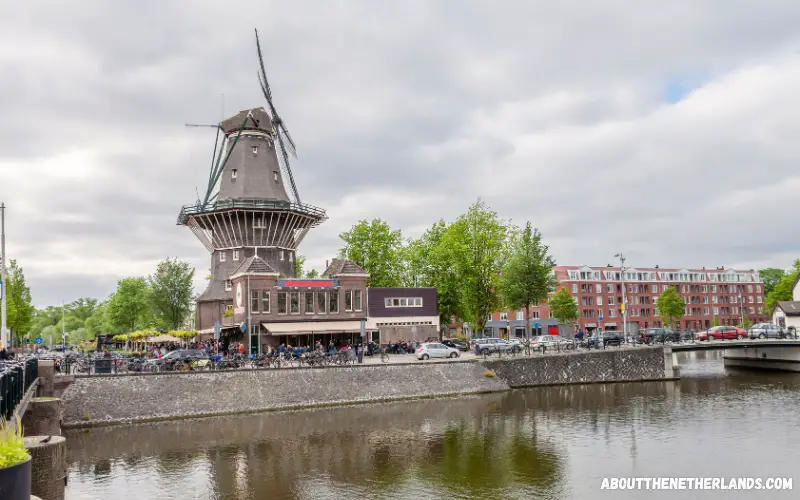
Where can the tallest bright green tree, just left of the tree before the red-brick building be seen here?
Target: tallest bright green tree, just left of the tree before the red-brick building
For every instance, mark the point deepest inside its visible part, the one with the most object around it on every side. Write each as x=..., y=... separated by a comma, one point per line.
x=476, y=243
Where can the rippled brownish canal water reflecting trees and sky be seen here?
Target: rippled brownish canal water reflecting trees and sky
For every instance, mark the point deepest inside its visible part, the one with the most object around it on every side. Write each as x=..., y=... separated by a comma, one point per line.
x=549, y=443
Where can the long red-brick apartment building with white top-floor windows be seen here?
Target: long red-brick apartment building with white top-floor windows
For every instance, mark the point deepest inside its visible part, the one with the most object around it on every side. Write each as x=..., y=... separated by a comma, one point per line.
x=728, y=294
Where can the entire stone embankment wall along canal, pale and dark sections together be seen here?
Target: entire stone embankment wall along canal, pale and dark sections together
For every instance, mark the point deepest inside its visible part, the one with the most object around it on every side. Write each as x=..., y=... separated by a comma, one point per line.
x=99, y=400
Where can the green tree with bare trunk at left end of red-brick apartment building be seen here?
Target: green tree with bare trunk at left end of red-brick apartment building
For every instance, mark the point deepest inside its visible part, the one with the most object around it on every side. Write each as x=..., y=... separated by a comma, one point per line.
x=527, y=277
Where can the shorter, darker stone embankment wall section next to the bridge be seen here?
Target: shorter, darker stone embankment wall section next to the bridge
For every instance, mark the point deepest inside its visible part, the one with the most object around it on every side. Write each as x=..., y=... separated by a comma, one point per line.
x=601, y=365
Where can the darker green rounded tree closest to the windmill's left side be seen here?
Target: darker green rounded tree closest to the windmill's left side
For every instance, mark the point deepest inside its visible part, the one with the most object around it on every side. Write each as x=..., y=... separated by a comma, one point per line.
x=171, y=294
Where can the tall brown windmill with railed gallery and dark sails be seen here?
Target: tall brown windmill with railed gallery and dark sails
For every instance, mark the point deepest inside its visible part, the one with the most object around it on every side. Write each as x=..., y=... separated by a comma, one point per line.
x=251, y=206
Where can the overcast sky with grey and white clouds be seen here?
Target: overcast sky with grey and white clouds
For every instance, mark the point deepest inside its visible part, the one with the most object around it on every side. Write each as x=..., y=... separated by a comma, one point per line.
x=666, y=130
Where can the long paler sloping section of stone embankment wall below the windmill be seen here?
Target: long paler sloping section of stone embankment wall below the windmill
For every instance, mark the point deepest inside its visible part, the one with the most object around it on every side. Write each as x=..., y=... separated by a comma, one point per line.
x=98, y=400
